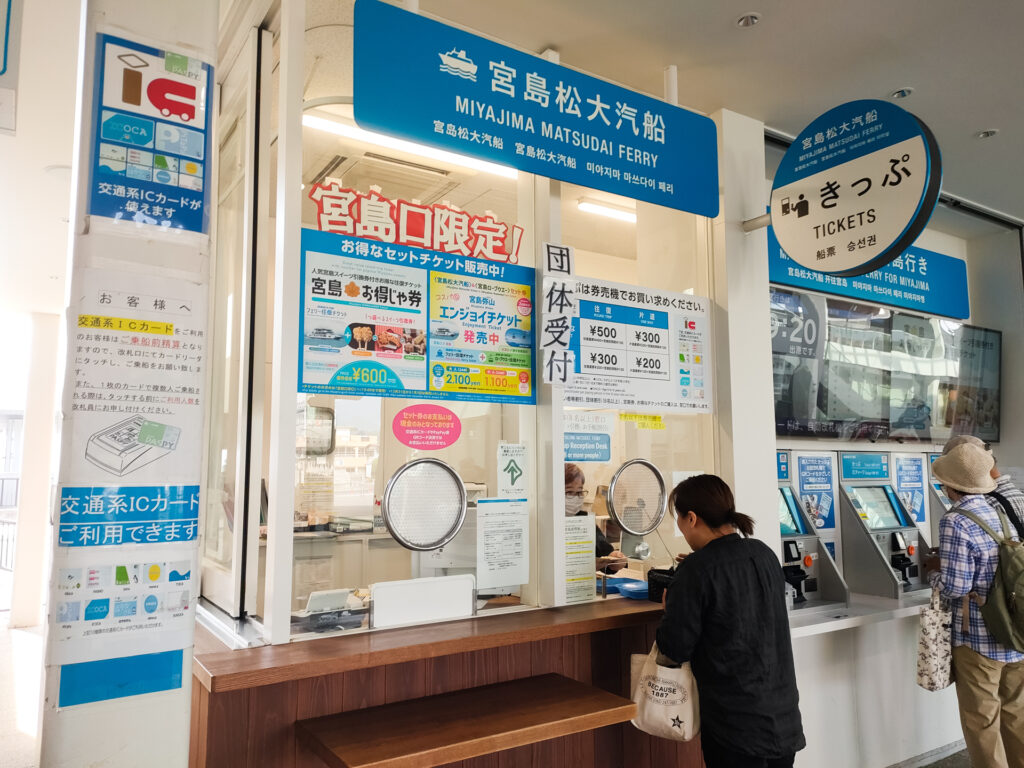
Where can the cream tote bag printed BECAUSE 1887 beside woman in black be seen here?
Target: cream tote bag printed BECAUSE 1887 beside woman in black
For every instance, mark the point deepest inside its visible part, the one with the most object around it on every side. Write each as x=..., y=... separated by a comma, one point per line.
x=666, y=698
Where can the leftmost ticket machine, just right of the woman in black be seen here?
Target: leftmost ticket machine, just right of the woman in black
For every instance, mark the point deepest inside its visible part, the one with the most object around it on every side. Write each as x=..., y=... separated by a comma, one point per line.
x=807, y=565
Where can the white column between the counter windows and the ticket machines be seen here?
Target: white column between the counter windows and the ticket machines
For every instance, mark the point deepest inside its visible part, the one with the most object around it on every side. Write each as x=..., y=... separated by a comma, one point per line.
x=743, y=345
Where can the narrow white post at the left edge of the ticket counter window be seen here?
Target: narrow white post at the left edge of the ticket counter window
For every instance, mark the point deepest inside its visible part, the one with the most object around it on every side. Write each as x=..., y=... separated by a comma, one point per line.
x=287, y=309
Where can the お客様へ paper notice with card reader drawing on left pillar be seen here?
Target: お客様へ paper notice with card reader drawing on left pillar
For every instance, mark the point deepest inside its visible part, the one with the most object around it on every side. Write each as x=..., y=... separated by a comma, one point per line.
x=139, y=351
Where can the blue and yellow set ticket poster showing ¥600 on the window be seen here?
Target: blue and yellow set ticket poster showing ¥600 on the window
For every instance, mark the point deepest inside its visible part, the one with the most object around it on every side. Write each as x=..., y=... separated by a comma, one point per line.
x=396, y=321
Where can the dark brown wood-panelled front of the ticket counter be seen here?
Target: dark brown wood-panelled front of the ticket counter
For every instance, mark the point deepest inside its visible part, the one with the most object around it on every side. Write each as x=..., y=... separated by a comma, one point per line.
x=254, y=729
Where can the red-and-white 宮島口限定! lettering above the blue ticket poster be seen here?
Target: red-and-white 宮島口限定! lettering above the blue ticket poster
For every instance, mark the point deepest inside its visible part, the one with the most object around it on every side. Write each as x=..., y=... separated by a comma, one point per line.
x=438, y=228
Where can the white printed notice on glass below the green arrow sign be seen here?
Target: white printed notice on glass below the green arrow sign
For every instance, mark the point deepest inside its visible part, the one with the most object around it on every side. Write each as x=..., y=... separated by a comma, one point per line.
x=502, y=543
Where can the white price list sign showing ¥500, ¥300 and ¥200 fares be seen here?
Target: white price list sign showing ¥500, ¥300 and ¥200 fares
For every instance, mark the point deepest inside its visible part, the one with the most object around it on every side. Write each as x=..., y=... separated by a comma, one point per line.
x=641, y=349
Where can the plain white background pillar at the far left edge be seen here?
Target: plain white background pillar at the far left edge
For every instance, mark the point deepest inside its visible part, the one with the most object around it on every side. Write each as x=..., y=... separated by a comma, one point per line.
x=31, y=557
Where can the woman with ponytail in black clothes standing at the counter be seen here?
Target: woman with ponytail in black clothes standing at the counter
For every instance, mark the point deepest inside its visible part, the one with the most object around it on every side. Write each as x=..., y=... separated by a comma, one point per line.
x=726, y=614
